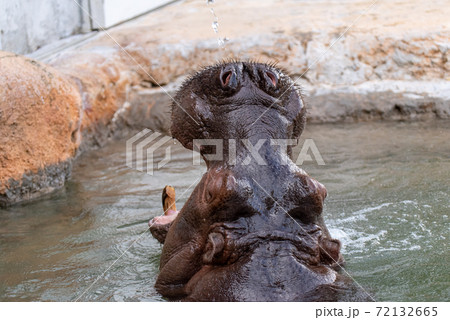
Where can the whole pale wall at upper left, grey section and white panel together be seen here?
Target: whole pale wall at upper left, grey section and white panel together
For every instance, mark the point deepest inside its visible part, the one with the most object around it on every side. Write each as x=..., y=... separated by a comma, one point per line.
x=27, y=25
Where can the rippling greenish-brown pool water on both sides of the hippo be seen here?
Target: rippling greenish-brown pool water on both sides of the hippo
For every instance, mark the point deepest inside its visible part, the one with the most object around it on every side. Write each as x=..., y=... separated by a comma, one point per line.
x=388, y=202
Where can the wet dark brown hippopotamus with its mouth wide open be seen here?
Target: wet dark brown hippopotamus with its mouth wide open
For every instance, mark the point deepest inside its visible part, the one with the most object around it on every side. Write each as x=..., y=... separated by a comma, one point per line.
x=252, y=229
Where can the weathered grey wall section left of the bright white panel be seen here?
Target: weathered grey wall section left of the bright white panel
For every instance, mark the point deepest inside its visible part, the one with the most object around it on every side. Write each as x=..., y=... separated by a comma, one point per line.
x=27, y=25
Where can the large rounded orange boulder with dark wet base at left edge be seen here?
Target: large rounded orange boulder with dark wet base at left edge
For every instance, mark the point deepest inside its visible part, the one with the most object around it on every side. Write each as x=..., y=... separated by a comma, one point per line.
x=39, y=128
